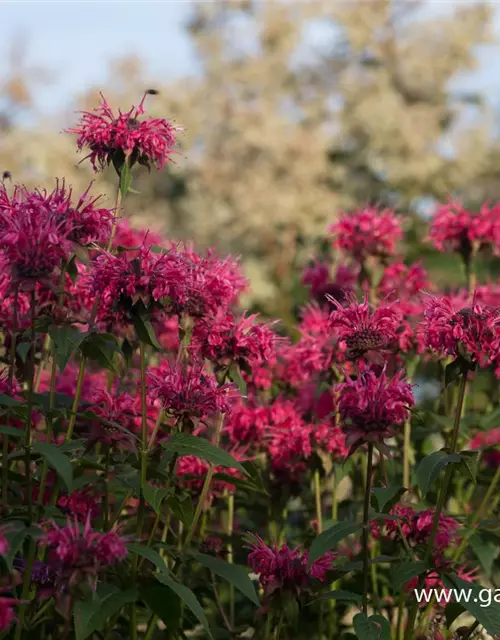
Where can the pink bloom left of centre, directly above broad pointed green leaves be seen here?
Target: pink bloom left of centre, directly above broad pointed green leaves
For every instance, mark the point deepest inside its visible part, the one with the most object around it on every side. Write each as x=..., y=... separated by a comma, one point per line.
x=188, y=390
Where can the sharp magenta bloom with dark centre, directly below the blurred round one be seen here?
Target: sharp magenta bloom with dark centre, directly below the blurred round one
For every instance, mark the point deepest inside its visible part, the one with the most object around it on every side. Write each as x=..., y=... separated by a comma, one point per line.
x=360, y=329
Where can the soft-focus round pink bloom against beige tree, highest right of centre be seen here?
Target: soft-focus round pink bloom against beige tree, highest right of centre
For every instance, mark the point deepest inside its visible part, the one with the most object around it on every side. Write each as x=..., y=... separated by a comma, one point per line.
x=367, y=232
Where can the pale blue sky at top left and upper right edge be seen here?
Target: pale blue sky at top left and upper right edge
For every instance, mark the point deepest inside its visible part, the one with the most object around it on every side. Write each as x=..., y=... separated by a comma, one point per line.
x=75, y=40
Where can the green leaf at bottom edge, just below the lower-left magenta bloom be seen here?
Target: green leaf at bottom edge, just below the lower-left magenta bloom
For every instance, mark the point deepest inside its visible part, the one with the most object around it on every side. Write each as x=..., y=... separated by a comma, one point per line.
x=92, y=615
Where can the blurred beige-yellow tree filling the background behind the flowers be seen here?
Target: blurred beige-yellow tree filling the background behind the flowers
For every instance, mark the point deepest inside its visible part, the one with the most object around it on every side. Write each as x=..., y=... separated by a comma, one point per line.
x=298, y=110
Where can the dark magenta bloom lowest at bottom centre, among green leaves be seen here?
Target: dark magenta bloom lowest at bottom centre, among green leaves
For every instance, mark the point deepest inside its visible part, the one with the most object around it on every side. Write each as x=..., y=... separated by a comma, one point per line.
x=284, y=569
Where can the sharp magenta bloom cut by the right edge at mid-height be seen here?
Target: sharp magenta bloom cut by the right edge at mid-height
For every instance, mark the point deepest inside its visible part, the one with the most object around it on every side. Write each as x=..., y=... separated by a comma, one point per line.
x=454, y=327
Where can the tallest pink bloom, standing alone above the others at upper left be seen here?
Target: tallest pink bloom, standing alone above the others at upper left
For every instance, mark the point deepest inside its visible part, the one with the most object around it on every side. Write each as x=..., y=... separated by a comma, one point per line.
x=114, y=137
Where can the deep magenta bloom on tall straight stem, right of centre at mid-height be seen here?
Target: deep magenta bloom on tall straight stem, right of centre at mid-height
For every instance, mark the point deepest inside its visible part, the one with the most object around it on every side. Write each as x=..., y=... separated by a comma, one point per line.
x=372, y=406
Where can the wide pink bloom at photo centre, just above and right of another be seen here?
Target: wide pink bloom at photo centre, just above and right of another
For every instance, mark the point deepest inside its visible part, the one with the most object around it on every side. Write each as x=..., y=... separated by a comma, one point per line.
x=225, y=340
